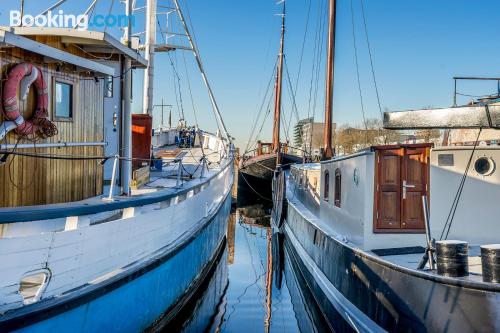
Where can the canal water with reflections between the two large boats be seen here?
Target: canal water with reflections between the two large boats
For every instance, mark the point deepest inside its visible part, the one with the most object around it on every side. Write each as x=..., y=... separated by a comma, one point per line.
x=254, y=287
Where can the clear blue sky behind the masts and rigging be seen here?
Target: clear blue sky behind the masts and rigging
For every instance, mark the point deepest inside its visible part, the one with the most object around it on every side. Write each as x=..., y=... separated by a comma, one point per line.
x=417, y=47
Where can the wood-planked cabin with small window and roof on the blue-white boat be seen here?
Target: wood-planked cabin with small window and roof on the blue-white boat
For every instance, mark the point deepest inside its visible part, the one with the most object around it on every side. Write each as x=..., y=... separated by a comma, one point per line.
x=82, y=71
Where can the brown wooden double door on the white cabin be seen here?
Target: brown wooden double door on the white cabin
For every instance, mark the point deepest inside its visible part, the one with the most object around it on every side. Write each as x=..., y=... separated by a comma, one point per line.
x=401, y=179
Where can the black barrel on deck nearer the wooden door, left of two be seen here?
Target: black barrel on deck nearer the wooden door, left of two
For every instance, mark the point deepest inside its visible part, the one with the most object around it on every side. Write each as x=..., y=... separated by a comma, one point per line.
x=452, y=258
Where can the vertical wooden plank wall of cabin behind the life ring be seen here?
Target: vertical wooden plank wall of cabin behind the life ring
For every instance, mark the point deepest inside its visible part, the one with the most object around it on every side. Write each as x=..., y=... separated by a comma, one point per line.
x=28, y=181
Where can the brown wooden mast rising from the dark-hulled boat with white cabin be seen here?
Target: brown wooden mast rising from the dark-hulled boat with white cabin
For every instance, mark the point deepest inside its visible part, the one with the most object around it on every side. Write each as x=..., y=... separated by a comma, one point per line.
x=327, y=135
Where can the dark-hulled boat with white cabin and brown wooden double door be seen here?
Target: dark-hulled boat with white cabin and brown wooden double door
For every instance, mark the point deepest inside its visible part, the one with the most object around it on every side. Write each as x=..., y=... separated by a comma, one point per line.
x=403, y=237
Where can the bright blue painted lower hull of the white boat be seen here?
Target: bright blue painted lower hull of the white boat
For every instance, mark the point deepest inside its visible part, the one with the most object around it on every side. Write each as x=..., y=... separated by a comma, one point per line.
x=135, y=305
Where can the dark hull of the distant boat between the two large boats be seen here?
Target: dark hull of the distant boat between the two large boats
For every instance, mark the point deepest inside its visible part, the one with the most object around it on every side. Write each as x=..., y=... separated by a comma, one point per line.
x=255, y=177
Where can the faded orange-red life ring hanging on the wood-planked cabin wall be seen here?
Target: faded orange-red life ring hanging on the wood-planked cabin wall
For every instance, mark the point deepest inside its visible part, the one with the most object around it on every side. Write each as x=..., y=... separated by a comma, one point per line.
x=39, y=124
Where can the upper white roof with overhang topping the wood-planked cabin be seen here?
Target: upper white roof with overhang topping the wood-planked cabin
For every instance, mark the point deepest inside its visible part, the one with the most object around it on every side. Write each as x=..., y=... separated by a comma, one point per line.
x=89, y=41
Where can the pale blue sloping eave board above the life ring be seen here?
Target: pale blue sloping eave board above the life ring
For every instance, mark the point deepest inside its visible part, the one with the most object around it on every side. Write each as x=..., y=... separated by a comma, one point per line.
x=10, y=39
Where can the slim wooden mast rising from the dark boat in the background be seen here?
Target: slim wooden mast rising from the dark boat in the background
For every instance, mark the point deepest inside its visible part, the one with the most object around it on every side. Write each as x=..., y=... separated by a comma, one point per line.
x=278, y=94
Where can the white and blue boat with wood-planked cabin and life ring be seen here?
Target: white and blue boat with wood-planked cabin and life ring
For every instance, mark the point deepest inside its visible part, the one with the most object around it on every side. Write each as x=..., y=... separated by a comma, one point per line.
x=83, y=245
